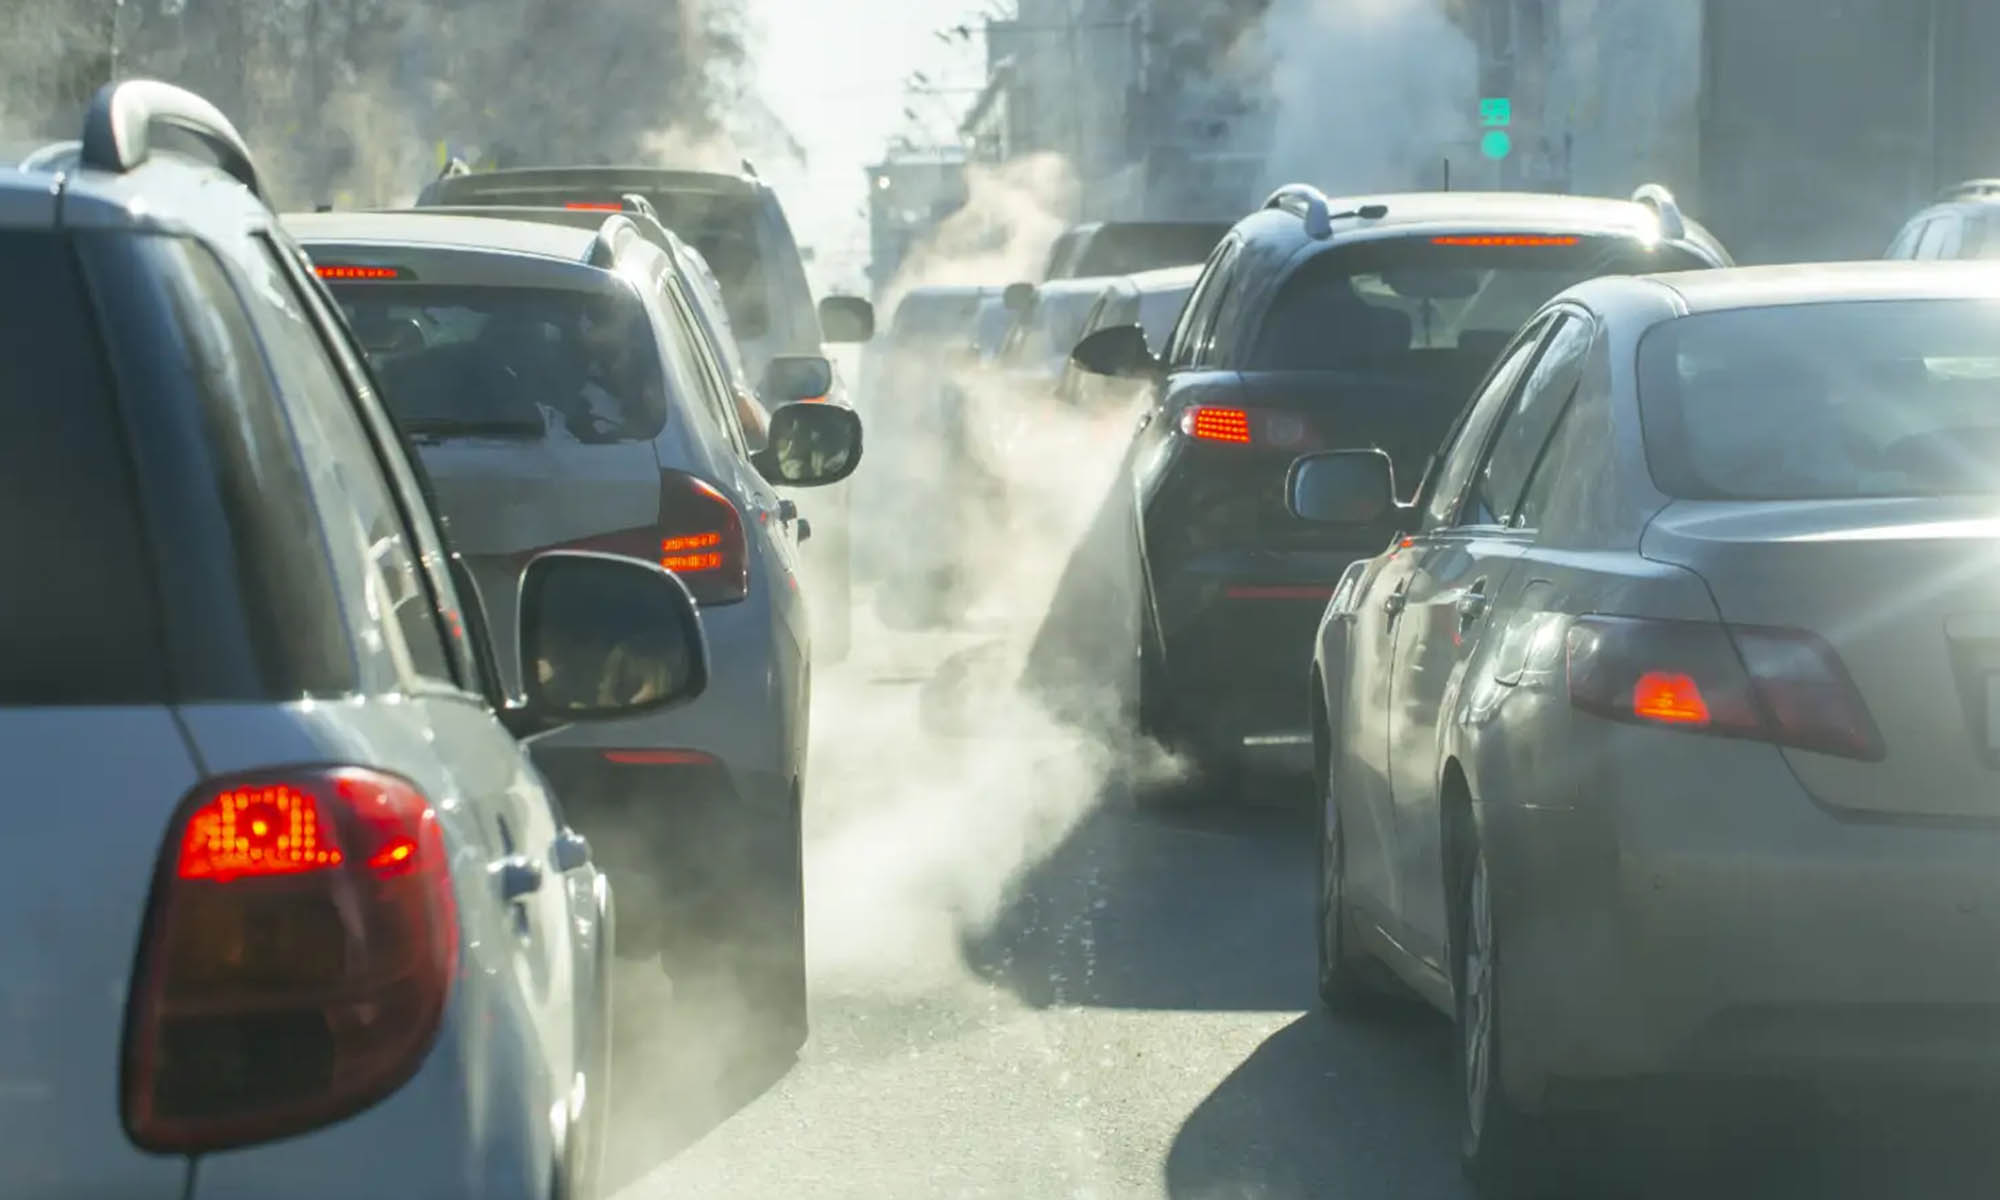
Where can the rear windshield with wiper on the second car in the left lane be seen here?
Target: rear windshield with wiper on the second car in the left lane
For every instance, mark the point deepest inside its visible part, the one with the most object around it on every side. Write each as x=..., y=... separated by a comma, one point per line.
x=511, y=363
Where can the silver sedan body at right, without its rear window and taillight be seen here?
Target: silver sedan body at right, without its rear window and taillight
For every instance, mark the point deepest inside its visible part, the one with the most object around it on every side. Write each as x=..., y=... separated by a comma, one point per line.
x=1671, y=903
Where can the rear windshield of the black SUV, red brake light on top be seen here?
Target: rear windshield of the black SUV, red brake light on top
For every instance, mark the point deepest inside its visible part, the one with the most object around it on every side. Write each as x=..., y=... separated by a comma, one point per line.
x=1419, y=305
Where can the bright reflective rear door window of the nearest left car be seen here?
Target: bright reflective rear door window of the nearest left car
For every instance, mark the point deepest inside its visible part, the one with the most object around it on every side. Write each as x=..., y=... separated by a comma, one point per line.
x=363, y=523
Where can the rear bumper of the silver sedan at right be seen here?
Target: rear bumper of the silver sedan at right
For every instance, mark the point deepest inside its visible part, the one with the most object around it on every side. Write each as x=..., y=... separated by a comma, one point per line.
x=1679, y=907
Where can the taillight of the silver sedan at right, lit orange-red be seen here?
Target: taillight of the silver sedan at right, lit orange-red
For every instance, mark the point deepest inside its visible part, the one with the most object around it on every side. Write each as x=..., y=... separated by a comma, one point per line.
x=1759, y=683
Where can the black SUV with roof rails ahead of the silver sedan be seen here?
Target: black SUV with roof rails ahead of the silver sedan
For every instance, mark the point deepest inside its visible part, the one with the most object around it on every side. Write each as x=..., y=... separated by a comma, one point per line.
x=1321, y=325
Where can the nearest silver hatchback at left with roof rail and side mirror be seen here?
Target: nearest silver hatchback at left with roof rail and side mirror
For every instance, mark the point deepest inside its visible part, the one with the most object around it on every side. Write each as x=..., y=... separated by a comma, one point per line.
x=285, y=905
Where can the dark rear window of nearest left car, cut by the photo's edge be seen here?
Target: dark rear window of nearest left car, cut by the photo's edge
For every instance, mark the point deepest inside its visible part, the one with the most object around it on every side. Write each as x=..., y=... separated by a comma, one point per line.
x=77, y=609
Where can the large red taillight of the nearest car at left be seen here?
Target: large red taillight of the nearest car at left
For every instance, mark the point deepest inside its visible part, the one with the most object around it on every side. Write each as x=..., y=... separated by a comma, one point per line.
x=299, y=955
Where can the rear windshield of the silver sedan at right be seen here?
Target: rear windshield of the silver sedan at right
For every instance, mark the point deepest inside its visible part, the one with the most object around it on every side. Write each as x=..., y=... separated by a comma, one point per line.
x=1825, y=401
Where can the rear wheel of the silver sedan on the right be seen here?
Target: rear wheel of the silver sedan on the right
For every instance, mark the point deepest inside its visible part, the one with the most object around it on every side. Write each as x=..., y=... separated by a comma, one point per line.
x=1505, y=1151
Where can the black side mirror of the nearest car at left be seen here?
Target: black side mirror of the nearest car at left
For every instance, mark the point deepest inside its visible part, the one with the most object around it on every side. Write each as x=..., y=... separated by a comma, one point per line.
x=605, y=637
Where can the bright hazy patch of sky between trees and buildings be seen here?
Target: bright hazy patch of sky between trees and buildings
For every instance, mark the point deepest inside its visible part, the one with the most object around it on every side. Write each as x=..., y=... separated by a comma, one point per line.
x=835, y=75
